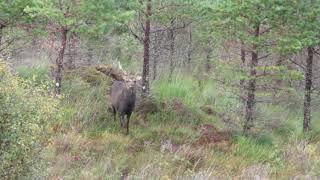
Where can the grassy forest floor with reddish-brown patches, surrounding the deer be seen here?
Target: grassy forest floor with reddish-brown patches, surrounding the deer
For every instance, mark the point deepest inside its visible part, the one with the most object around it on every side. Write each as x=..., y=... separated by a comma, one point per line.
x=194, y=134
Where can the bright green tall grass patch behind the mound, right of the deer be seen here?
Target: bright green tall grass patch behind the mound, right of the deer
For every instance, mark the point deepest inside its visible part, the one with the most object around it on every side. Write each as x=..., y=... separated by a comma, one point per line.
x=195, y=95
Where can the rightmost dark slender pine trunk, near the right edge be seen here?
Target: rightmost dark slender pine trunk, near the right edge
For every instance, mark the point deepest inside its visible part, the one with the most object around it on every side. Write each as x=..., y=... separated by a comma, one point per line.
x=307, y=92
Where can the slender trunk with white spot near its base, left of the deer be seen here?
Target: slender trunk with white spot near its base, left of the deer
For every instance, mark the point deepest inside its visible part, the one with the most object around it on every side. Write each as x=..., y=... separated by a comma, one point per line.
x=59, y=62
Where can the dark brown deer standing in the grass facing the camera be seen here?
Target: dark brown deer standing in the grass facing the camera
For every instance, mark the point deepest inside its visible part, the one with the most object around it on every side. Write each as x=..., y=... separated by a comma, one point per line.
x=123, y=97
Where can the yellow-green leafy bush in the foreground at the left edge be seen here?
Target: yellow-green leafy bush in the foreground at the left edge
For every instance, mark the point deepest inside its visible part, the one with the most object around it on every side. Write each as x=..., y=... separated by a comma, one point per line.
x=25, y=113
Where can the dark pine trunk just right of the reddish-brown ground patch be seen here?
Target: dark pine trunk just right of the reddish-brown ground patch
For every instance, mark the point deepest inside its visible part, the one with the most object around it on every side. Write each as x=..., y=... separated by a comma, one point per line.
x=250, y=104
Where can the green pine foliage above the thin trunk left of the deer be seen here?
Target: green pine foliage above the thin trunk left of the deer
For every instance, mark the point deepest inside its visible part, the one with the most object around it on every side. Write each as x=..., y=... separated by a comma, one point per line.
x=91, y=19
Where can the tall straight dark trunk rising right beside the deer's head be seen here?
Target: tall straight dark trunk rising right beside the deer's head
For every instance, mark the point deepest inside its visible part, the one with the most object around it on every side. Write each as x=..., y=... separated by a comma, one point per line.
x=146, y=55
